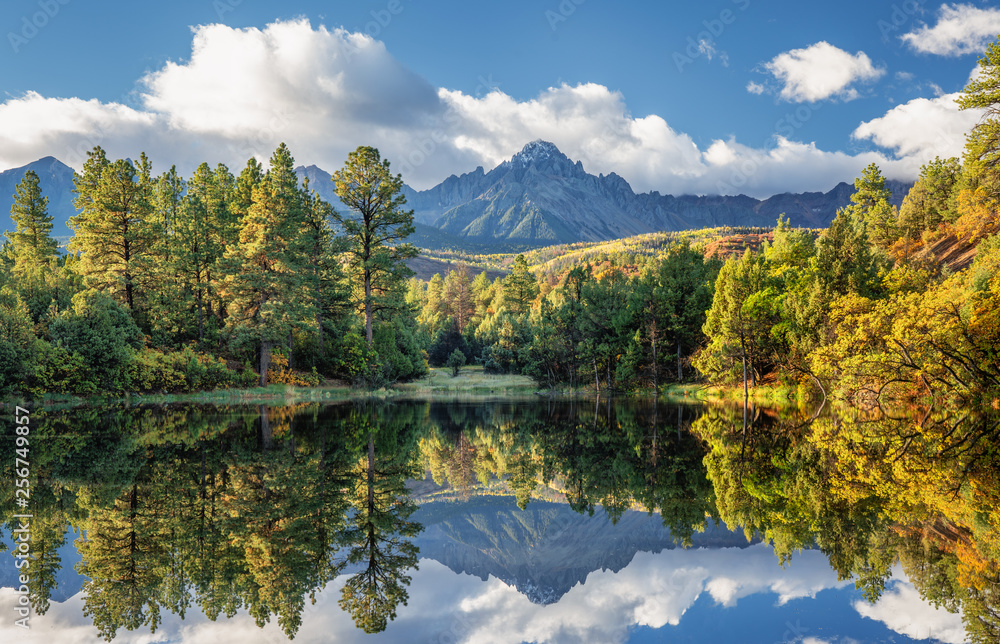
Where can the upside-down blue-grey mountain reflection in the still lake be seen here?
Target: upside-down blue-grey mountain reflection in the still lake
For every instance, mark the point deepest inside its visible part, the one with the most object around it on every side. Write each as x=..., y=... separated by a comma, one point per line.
x=546, y=549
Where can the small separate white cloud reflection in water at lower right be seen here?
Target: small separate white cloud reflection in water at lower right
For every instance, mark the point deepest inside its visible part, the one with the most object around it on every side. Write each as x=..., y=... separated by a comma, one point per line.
x=901, y=609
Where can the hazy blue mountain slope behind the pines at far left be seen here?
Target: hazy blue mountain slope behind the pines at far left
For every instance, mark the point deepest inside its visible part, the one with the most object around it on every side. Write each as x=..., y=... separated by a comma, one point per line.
x=56, y=181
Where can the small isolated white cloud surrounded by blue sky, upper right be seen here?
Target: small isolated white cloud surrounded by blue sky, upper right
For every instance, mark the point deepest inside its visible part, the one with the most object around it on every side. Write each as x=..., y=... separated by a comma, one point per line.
x=821, y=71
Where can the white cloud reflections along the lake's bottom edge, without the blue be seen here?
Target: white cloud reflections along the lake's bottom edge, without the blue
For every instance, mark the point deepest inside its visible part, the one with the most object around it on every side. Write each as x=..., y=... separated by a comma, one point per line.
x=444, y=608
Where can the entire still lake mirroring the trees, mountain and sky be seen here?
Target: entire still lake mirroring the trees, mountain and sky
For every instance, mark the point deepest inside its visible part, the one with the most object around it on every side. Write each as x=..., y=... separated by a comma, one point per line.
x=503, y=521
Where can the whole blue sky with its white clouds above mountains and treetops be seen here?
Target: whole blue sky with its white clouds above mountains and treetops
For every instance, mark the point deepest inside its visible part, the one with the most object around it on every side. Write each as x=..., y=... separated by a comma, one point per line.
x=725, y=96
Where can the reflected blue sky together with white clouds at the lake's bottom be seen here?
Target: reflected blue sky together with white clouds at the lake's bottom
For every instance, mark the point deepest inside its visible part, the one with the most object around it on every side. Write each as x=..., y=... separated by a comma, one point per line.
x=696, y=595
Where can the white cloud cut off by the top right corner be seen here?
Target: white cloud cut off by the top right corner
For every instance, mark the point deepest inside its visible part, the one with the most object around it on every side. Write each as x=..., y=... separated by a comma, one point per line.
x=960, y=29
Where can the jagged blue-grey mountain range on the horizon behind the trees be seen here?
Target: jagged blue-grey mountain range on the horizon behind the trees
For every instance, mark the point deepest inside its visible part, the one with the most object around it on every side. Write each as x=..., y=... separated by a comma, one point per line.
x=537, y=198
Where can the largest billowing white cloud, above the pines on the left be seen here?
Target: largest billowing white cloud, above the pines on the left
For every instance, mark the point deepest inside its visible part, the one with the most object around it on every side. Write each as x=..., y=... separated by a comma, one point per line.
x=241, y=93
